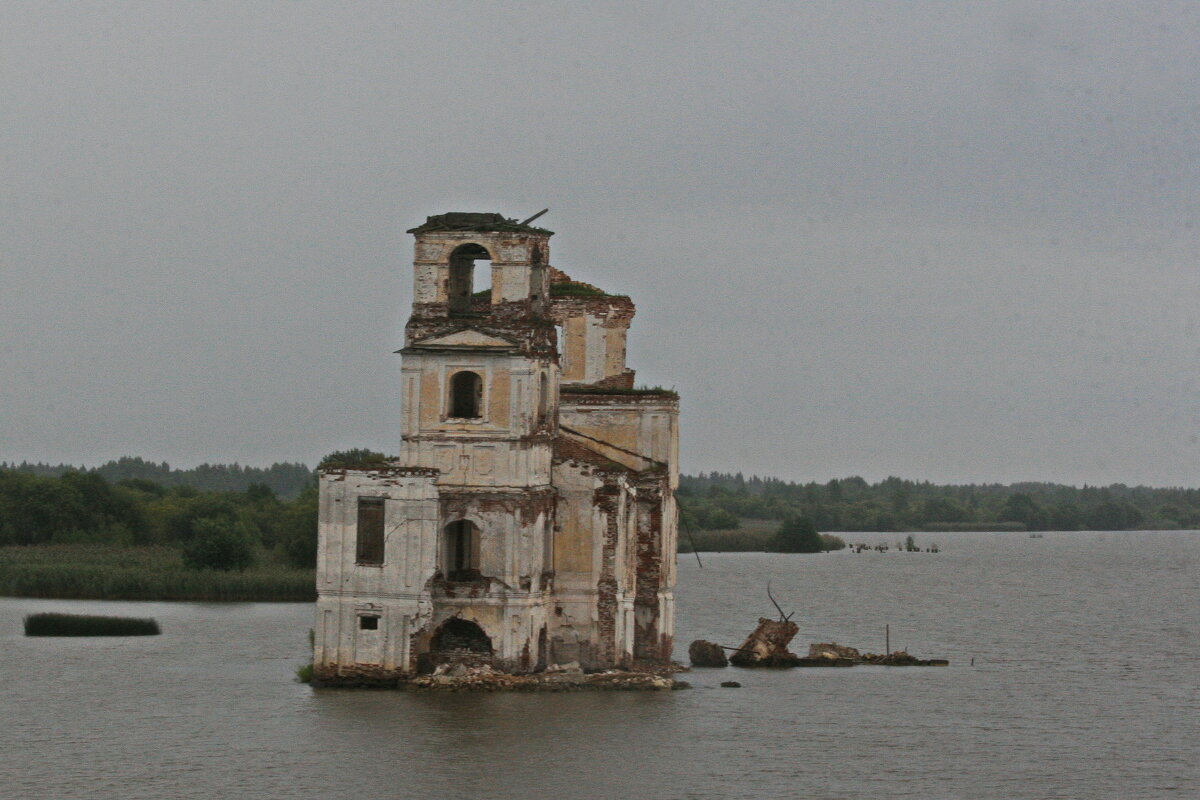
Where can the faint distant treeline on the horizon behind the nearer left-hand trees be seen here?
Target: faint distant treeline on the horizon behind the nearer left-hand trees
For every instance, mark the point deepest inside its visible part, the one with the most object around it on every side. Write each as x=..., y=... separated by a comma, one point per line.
x=286, y=480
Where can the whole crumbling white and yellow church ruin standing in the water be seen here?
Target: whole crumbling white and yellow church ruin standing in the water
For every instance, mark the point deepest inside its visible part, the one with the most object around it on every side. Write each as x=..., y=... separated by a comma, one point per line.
x=530, y=519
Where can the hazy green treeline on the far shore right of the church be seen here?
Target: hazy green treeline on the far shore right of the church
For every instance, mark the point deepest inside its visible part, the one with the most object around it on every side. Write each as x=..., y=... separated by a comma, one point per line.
x=718, y=502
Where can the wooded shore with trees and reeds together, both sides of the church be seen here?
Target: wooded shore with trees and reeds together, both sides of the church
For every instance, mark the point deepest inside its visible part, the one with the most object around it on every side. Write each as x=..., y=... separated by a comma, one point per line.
x=139, y=531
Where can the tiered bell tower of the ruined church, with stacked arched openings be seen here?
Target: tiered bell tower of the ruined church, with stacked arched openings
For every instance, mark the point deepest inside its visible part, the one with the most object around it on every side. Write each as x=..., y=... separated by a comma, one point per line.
x=481, y=396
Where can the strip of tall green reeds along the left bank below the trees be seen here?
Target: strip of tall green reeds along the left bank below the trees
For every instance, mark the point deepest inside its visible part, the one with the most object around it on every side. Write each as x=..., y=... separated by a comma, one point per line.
x=107, y=573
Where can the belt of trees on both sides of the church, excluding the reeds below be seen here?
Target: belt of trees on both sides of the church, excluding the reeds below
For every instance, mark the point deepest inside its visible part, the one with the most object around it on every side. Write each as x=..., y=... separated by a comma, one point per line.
x=134, y=502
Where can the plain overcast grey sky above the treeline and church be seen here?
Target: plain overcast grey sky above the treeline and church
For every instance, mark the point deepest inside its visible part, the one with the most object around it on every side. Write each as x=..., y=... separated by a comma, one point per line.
x=939, y=240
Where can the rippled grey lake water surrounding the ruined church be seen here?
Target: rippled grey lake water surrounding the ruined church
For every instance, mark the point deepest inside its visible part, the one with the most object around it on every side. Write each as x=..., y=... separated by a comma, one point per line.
x=1087, y=684
